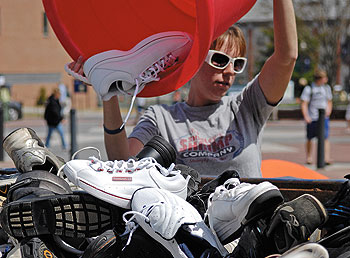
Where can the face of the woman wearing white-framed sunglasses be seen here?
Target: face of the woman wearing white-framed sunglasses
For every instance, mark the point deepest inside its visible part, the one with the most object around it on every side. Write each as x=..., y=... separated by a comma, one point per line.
x=211, y=84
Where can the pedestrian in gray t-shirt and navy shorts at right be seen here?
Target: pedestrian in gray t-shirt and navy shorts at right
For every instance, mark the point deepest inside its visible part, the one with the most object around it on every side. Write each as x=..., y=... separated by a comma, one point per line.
x=315, y=97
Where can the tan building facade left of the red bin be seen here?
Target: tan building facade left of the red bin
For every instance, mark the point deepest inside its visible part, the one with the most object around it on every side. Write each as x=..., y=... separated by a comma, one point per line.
x=31, y=57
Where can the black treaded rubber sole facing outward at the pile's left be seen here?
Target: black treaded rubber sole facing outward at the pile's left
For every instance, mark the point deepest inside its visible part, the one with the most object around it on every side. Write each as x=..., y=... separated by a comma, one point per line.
x=77, y=215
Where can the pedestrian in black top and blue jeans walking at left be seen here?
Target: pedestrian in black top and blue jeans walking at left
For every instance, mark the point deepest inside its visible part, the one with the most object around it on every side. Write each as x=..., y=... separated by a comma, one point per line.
x=53, y=116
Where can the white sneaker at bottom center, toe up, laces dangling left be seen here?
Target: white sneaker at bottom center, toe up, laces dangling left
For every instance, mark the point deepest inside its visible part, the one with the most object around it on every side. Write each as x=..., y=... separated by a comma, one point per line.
x=160, y=213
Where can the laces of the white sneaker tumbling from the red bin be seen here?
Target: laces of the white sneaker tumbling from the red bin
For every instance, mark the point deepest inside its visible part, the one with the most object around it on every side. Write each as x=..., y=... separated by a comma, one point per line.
x=147, y=76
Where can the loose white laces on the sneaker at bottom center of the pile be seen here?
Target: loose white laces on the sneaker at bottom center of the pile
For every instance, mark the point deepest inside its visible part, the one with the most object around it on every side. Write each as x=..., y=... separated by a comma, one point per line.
x=131, y=225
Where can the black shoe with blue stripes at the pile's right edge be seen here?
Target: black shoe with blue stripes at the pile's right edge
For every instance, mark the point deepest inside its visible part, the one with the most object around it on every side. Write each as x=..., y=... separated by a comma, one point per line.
x=338, y=209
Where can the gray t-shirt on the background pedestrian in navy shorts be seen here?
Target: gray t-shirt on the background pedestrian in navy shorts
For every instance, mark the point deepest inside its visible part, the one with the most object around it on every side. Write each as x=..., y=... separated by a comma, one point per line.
x=318, y=99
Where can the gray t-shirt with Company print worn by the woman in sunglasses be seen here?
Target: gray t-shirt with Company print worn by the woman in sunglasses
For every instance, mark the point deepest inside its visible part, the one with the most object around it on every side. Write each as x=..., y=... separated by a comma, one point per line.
x=215, y=138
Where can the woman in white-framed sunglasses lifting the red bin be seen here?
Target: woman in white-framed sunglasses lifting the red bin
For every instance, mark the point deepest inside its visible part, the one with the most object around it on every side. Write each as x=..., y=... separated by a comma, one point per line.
x=211, y=132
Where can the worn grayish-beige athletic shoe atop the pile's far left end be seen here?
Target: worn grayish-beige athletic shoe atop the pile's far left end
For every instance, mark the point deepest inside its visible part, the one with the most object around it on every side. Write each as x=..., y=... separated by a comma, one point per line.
x=29, y=153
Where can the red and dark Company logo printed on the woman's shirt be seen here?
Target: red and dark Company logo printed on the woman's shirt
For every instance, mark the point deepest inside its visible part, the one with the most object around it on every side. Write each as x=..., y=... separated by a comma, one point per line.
x=222, y=147
